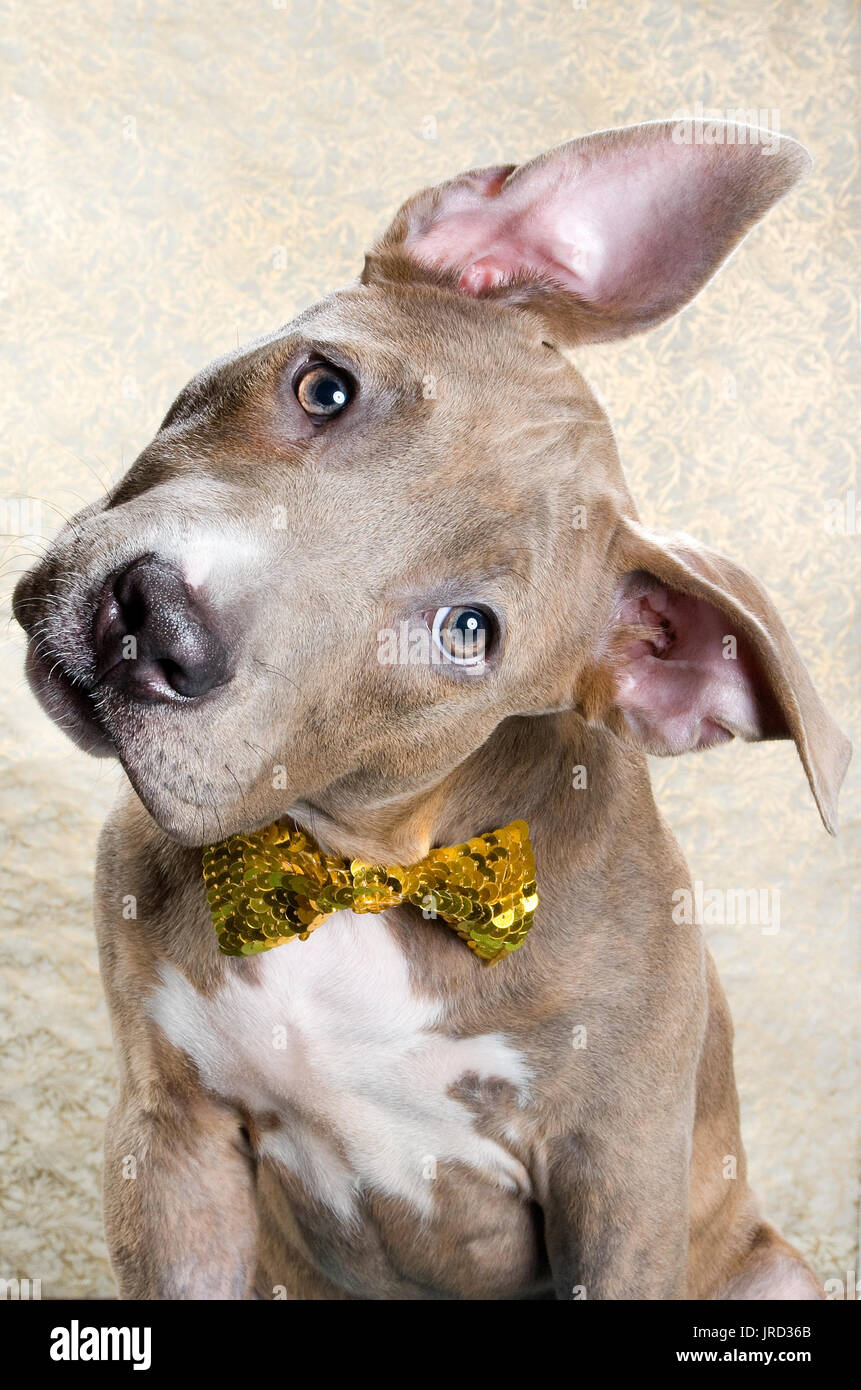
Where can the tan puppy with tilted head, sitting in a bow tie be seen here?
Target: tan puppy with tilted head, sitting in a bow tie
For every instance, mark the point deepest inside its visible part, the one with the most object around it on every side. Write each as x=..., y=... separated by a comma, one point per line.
x=379, y=578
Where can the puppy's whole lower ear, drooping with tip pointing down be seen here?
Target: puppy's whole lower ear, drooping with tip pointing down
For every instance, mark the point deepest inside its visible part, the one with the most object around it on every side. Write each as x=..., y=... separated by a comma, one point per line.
x=696, y=654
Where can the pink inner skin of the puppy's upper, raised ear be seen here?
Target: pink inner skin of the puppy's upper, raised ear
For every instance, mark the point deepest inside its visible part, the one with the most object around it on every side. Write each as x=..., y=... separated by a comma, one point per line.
x=631, y=226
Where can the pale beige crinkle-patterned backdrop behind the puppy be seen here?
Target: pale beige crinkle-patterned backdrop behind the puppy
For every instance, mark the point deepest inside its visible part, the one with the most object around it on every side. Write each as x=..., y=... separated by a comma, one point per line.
x=184, y=176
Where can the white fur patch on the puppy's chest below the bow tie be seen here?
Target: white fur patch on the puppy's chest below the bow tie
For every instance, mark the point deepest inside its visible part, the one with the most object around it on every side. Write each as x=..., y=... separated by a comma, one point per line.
x=335, y=1038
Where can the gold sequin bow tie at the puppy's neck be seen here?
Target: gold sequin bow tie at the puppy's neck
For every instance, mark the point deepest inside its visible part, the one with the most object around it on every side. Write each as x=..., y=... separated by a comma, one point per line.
x=273, y=886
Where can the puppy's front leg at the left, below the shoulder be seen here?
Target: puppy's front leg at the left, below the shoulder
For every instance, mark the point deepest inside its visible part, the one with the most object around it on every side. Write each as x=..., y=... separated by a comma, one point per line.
x=179, y=1200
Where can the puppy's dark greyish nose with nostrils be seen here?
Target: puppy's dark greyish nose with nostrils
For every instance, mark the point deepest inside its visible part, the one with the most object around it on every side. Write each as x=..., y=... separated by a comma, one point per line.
x=154, y=639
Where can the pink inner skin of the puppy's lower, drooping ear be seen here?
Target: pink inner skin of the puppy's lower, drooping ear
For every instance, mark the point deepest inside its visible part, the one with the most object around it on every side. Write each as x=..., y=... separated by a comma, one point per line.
x=689, y=682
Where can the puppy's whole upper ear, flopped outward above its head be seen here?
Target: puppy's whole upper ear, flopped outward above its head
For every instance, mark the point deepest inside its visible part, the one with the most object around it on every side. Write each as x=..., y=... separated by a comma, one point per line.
x=604, y=236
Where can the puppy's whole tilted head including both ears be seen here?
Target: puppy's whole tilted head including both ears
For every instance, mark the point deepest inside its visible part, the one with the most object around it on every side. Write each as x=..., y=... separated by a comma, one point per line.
x=358, y=546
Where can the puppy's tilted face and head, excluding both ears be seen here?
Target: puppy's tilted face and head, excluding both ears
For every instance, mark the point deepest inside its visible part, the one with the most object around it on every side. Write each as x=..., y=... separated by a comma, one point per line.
x=319, y=571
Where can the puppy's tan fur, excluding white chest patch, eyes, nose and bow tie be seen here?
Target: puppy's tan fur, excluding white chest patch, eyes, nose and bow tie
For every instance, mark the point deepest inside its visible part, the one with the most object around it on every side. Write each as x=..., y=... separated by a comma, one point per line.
x=474, y=487
